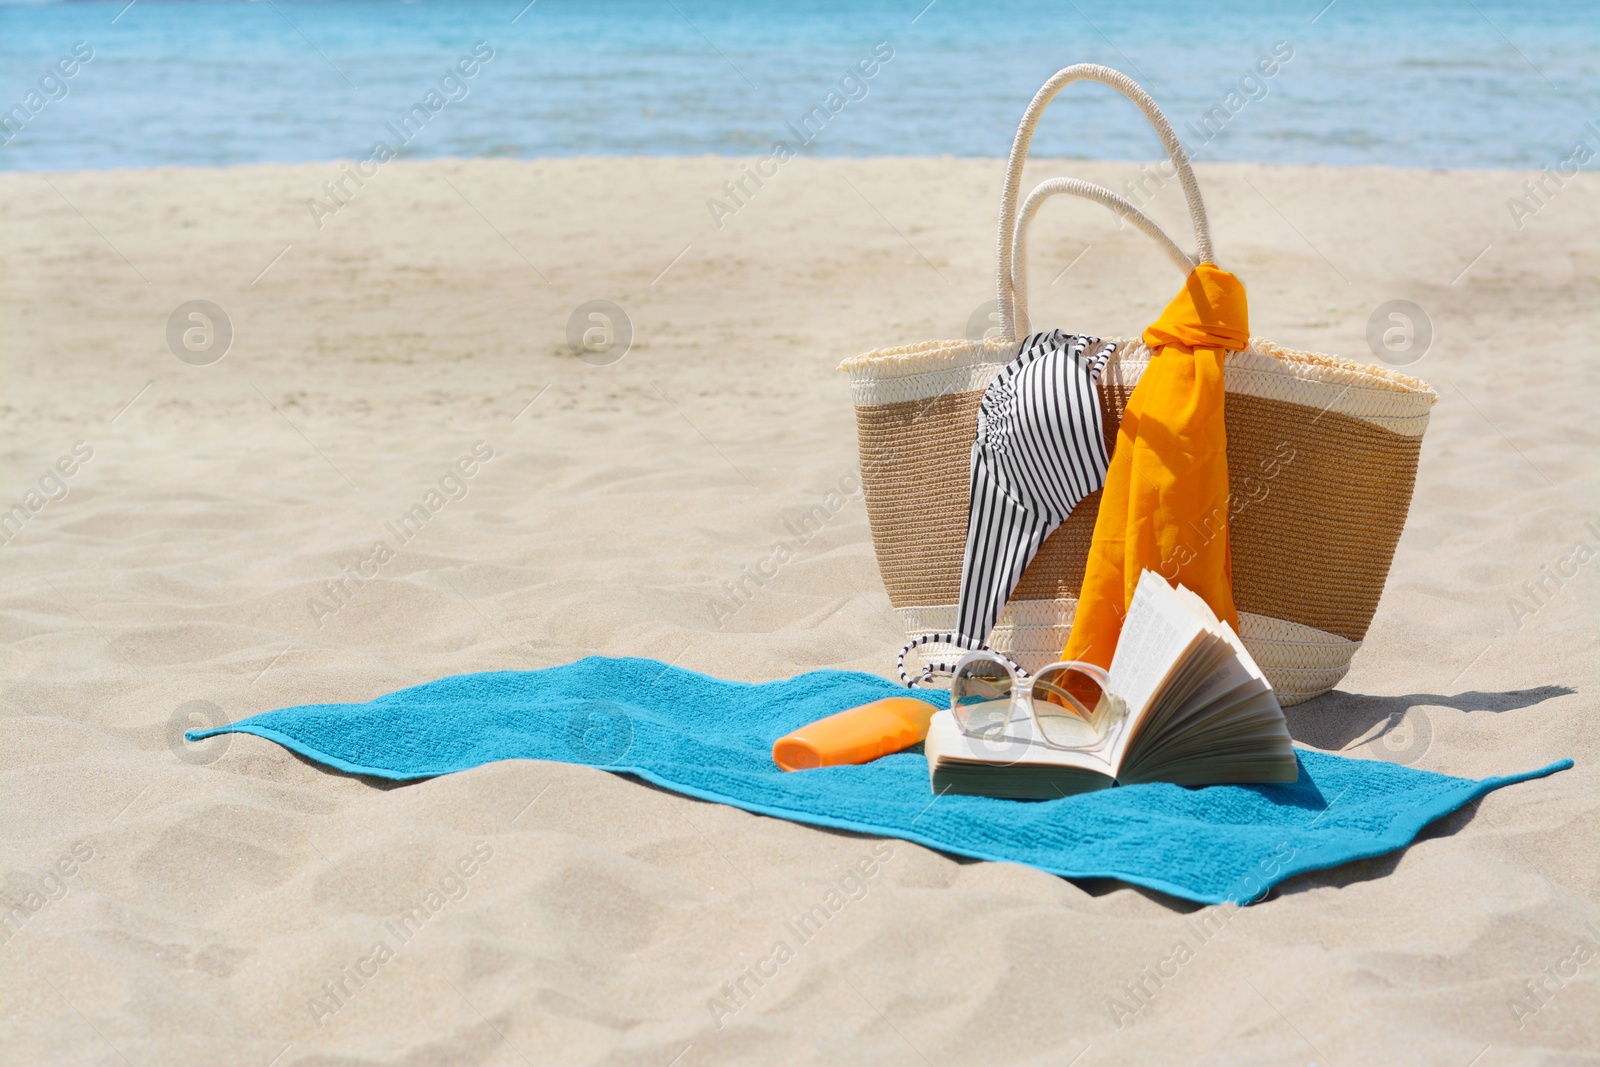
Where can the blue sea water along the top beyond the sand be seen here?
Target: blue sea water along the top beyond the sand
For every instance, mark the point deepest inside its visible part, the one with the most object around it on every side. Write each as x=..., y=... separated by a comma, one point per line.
x=1420, y=84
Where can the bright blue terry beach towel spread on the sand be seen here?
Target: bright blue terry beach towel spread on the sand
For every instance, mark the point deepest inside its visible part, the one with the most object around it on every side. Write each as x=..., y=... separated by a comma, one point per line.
x=713, y=740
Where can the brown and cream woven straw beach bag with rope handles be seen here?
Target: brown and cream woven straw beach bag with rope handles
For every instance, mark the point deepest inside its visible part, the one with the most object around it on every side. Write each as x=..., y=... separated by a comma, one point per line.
x=1322, y=458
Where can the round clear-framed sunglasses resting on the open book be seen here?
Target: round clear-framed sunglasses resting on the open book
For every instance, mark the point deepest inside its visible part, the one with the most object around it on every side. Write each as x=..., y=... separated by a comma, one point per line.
x=1071, y=703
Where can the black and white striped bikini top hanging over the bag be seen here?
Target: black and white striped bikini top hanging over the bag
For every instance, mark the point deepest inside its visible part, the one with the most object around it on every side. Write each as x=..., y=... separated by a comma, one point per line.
x=1039, y=450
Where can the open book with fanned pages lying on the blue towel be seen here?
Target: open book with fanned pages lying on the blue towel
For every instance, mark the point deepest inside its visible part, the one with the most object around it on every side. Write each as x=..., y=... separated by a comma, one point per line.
x=1199, y=714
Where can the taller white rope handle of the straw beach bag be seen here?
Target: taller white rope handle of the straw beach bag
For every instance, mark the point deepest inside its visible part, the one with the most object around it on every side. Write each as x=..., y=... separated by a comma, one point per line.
x=1025, y=137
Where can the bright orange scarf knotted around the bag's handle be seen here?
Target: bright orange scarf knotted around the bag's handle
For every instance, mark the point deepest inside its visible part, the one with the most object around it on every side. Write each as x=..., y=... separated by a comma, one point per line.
x=1166, y=500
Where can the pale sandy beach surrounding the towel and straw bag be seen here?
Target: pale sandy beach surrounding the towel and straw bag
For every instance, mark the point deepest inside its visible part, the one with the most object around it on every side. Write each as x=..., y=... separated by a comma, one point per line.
x=191, y=905
